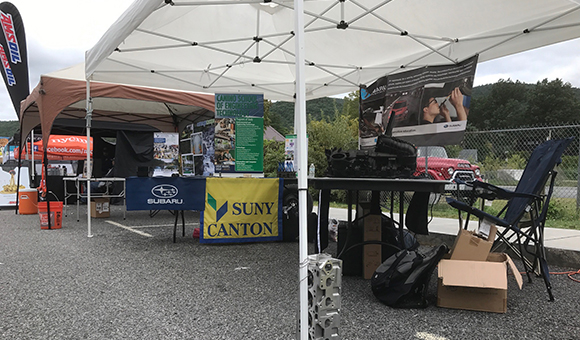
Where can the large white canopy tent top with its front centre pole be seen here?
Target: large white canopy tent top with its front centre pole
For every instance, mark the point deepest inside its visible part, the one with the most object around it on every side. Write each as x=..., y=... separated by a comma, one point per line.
x=298, y=50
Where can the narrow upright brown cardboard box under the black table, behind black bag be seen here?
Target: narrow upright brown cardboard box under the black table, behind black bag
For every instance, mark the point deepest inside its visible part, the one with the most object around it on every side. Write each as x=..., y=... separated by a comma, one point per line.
x=372, y=257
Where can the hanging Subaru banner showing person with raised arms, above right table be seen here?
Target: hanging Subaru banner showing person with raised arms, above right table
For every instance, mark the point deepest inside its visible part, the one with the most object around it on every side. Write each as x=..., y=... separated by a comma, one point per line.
x=428, y=106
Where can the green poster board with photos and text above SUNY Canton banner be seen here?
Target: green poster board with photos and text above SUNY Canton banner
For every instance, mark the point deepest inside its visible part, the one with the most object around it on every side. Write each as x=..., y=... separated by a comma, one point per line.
x=239, y=133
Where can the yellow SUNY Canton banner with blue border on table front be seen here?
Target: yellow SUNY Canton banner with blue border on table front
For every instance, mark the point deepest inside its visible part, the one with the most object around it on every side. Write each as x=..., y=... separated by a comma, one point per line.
x=242, y=210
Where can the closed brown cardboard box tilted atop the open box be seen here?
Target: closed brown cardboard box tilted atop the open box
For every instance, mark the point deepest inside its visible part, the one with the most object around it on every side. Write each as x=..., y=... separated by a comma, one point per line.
x=469, y=246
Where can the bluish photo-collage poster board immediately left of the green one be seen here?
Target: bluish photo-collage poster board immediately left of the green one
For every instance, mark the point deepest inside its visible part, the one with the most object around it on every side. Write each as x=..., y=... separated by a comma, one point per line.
x=197, y=149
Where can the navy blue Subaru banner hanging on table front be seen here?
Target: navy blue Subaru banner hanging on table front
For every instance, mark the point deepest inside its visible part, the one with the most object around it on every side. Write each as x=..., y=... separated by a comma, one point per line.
x=165, y=193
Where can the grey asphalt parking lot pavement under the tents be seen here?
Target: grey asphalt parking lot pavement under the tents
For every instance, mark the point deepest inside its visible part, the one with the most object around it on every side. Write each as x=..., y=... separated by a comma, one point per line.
x=130, y=281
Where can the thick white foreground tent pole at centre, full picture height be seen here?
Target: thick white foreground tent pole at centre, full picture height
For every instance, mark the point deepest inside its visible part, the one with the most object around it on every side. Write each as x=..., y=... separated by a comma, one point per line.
x=302, y=157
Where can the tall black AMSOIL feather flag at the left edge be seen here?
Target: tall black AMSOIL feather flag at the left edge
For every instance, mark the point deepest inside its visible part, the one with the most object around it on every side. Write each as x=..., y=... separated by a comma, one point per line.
x=13, y=55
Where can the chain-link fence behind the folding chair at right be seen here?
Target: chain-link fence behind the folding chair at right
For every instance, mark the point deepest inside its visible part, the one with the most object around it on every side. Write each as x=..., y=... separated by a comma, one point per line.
x=502, y=156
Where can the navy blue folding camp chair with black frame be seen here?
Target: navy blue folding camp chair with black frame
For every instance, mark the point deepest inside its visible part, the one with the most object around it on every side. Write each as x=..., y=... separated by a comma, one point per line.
x=524, y=215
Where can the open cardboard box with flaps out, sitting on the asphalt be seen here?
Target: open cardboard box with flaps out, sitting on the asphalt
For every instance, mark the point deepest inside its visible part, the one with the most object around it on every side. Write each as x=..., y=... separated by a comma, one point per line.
x=476, y=285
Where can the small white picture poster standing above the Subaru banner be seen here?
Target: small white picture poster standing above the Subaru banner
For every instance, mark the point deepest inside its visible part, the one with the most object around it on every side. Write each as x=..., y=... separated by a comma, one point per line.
x=165, y=153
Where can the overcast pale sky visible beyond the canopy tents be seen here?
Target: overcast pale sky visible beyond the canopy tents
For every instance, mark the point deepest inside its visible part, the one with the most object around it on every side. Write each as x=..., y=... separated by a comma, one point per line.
x=59, y=32
